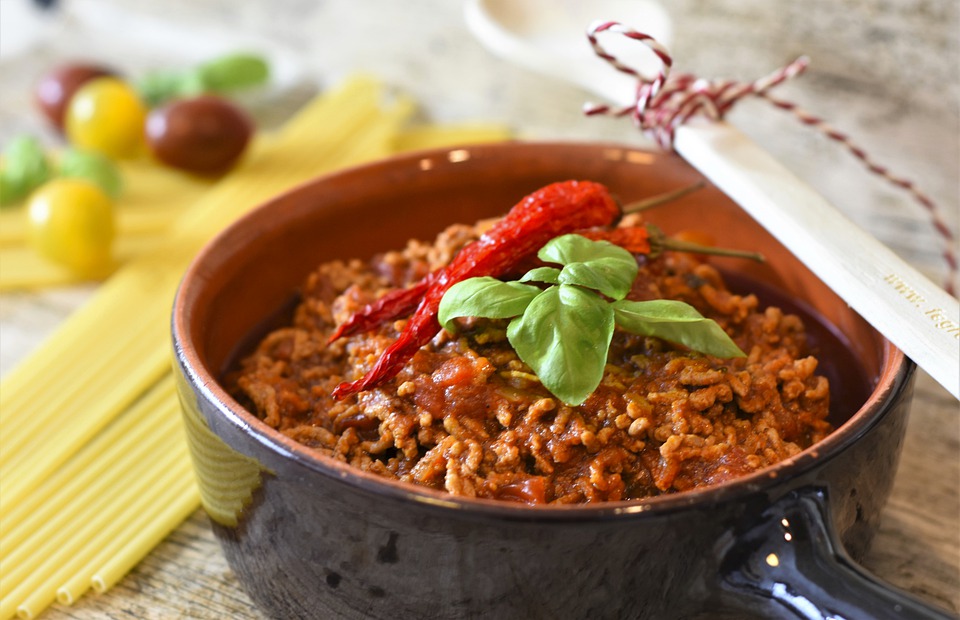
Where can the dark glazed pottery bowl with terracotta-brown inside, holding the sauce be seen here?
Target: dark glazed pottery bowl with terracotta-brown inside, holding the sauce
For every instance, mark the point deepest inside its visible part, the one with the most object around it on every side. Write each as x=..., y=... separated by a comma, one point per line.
x=309, y=536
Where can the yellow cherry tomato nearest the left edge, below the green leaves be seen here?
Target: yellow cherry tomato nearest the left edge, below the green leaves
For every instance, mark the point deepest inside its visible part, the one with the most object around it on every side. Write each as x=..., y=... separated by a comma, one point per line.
x=71, y=222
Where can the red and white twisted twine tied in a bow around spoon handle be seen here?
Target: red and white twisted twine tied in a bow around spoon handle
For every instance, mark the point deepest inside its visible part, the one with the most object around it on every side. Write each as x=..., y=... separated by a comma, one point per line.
x=666, y=101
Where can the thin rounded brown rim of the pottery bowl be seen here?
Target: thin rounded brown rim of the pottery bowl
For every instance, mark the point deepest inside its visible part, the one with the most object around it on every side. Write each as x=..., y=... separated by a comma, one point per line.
x=895, y=372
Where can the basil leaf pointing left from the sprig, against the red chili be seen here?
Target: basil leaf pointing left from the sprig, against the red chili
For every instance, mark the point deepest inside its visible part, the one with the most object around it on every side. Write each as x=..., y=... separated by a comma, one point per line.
x=484, y=297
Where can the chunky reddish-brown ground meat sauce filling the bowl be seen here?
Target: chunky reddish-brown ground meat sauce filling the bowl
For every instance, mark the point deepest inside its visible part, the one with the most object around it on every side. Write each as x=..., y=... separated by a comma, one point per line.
x=466, y=415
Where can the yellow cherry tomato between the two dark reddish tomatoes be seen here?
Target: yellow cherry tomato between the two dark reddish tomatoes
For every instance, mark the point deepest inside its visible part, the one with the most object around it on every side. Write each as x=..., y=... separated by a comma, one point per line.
x=106, y=115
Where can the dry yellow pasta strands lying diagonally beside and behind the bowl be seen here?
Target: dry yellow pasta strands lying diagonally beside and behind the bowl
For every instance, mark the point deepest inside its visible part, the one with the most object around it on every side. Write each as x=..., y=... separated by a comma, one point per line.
x=109, y=476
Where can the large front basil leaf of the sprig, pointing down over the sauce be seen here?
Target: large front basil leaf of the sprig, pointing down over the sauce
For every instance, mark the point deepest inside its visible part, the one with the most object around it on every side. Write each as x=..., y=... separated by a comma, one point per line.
x=564, y=336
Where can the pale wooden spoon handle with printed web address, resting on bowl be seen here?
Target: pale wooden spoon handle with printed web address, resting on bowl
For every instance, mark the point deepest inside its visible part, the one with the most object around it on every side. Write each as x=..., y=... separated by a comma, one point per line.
x=913, y=313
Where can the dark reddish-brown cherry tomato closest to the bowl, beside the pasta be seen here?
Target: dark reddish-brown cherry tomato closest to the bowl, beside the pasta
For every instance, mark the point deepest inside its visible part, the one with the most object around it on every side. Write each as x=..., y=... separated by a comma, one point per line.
x=205, y=134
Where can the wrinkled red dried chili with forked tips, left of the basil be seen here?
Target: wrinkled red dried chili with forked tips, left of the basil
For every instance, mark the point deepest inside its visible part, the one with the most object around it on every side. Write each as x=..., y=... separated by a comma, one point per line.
x=554, y=210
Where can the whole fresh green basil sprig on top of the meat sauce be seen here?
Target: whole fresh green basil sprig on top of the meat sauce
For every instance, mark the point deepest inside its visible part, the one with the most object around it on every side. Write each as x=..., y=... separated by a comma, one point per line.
x=563, y=331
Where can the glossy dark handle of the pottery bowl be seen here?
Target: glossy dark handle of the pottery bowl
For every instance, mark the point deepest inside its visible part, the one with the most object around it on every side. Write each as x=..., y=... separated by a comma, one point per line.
x=790, y=562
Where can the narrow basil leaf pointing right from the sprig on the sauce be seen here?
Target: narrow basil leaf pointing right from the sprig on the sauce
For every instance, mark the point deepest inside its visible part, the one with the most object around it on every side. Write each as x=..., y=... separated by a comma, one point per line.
x=677, y=322
